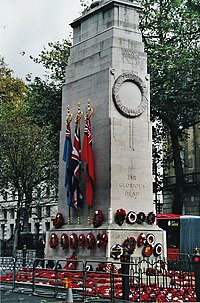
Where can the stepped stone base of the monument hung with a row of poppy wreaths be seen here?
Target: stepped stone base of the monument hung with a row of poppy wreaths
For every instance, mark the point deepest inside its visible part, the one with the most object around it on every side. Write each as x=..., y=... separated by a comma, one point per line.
x=98, y=244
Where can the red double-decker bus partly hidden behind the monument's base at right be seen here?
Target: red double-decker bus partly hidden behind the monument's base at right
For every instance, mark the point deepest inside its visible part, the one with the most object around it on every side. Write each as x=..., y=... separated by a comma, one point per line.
x=182, y=232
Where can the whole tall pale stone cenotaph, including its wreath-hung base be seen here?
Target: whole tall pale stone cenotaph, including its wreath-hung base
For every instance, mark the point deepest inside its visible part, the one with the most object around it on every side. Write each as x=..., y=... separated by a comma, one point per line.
x=108, y=66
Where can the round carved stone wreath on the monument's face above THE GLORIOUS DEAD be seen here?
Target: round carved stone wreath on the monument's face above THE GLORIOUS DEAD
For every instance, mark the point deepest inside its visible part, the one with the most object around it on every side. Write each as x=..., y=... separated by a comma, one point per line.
x=122, y=108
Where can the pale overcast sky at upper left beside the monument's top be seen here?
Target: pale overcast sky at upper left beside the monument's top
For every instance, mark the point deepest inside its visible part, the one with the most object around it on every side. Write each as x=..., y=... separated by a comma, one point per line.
x=26, y=26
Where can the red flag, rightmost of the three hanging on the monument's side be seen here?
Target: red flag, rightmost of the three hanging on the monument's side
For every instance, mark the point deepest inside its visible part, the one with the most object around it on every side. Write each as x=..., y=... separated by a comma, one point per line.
x=87, y=156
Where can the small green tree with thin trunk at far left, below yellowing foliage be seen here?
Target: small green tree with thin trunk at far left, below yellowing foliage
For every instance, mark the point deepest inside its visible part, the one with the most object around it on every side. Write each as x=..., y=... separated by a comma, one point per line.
x=25, y=157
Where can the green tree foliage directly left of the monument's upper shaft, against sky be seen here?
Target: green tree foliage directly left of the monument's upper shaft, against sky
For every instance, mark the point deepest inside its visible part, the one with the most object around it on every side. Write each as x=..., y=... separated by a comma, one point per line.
x=45, y=96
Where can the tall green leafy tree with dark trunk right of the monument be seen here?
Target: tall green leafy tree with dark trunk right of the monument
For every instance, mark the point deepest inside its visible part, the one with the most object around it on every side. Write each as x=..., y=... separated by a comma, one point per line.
x=171, y=31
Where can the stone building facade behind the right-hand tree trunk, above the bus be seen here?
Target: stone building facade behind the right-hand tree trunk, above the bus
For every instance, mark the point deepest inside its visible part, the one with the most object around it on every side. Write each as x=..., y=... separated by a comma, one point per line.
x=190, y=155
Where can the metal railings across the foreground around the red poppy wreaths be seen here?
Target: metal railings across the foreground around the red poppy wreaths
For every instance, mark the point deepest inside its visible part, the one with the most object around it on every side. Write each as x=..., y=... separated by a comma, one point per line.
x=142, y=281
